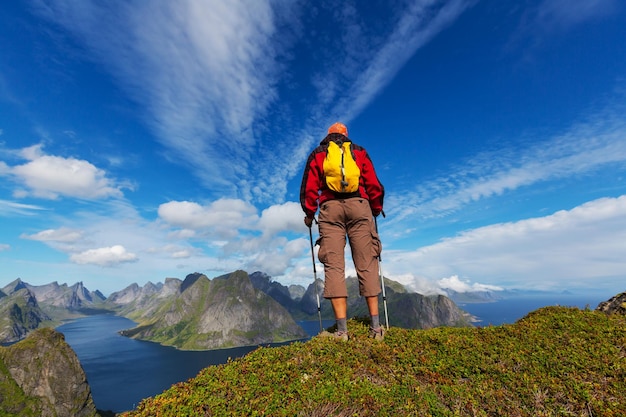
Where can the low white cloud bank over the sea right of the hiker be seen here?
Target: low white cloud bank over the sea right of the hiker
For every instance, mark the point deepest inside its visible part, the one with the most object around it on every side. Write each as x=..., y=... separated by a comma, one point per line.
x=570, y=248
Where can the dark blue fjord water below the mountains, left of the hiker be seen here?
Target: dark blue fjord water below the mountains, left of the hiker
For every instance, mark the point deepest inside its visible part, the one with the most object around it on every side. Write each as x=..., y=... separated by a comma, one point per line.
x=122, y=371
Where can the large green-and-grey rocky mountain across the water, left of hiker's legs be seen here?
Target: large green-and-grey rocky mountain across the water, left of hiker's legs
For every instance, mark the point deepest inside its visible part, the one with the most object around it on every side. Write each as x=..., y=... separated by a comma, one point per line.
x=213, y=314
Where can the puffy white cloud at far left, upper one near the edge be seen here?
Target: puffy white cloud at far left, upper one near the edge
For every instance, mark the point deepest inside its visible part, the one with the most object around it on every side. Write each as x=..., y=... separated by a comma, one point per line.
x=49, y=177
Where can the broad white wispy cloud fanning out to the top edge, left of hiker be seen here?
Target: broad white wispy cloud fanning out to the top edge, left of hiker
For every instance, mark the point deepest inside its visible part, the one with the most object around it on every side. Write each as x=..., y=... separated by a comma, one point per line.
x=205, y=71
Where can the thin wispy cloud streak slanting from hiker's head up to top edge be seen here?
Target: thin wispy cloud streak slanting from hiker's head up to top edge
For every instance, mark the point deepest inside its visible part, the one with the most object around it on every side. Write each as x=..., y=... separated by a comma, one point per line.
x=356, y=68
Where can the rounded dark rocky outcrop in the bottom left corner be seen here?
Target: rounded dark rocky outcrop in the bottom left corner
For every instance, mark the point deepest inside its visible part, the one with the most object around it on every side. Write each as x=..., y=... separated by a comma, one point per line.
x=41, y=376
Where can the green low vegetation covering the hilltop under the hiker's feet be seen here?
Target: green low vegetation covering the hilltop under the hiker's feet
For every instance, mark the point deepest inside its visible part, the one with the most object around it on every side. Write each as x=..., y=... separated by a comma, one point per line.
x=556, y=361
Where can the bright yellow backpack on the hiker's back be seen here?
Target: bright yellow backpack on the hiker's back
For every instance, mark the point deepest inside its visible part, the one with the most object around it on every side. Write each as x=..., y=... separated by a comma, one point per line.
x=340, y=169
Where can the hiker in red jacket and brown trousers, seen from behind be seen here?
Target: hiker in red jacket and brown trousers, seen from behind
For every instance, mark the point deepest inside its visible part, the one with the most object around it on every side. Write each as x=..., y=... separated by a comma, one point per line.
x=339, y=178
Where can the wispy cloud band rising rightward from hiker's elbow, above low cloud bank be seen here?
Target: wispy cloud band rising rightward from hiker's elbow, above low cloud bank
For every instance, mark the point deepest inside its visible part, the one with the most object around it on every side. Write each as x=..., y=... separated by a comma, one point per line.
x=582, y=149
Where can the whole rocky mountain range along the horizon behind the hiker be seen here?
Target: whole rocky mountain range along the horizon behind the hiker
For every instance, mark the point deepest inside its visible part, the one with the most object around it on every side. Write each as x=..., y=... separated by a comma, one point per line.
x=235, y=309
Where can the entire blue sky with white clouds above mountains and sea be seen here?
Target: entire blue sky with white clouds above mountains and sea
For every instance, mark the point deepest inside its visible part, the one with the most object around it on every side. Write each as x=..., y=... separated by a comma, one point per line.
x=145, y=140
